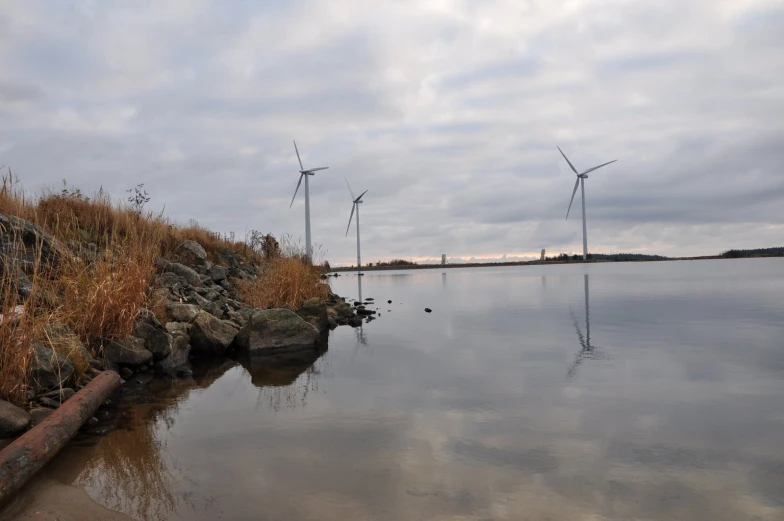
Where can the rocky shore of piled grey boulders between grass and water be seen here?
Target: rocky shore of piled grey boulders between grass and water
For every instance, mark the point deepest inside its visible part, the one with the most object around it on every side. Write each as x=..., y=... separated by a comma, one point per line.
x=197, y=315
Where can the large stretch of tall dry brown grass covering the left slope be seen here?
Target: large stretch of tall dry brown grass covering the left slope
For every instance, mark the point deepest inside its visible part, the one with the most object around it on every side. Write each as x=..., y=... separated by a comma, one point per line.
x=100, y=286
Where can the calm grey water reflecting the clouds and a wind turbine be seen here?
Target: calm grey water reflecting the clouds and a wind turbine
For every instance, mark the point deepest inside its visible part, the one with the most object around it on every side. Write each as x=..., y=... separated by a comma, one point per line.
x=605, y=392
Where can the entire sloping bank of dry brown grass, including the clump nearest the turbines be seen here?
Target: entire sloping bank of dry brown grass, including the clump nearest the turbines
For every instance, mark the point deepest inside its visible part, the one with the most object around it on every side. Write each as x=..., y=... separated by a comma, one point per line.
x=76, y=270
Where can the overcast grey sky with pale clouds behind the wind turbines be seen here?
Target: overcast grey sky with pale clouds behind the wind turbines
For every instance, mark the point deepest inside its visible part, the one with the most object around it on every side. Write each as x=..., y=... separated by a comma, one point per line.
x=447, y=111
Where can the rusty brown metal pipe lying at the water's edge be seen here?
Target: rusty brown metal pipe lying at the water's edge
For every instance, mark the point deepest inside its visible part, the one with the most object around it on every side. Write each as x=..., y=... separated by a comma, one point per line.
x=23, y=458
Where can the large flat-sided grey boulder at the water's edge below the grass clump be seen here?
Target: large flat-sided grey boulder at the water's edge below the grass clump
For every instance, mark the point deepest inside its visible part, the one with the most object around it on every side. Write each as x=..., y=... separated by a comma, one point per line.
x=276, y=331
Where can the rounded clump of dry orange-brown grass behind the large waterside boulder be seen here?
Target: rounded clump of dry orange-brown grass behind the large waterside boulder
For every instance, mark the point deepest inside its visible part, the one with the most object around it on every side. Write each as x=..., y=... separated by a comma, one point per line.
x=284, y=282
